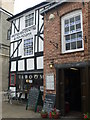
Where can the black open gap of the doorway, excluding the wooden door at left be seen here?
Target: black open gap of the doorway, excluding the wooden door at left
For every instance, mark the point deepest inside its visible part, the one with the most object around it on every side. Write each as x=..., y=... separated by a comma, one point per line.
x=72, y=90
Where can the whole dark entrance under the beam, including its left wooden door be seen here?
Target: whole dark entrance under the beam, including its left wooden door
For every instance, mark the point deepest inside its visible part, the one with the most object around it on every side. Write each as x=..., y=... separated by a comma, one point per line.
x=68, y=90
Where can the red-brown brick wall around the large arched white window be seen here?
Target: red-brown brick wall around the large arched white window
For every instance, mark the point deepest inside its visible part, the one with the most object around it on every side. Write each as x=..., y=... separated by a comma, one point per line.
x=52, y=33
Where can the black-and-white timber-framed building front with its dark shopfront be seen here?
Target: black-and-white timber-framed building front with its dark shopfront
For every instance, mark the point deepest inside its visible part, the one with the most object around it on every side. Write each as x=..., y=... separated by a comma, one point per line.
x=26, y=71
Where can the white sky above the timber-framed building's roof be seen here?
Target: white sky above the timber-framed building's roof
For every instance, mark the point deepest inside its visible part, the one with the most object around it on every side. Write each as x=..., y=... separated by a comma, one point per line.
x=21, y=5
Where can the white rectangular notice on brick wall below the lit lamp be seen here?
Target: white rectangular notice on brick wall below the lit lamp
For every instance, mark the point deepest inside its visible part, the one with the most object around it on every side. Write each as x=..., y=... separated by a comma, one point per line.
x=50, y=81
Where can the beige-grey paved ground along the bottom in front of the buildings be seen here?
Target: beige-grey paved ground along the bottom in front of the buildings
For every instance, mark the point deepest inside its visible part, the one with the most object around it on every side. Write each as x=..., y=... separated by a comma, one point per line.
x=18, y=110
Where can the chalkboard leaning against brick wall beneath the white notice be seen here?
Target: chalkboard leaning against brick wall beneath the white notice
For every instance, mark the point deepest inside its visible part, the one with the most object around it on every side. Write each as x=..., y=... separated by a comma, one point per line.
x=49, y=102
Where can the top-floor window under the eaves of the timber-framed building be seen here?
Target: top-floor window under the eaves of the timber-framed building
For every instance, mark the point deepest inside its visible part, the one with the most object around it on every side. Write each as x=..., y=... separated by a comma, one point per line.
x=29, y=20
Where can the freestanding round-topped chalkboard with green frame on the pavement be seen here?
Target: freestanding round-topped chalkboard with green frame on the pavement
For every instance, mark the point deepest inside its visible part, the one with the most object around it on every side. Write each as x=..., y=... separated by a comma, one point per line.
x=33, y=99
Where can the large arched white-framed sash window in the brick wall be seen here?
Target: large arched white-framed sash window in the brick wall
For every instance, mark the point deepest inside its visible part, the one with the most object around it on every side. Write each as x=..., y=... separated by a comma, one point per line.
x=72, y=32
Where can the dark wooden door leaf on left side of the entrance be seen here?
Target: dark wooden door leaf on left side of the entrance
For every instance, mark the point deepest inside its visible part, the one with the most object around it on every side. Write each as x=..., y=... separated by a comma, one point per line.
x=60, y=102
